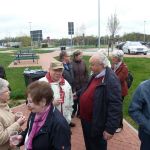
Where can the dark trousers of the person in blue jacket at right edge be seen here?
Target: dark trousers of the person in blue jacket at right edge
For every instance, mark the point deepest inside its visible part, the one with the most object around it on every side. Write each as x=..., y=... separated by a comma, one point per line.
x=145, y=140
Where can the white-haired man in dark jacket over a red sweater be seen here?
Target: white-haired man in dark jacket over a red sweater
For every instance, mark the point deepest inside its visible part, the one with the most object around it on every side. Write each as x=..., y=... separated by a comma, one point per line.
x=100, y=104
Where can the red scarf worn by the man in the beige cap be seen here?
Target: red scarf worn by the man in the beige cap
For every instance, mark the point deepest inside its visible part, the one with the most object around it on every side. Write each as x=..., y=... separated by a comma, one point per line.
x=61, y=91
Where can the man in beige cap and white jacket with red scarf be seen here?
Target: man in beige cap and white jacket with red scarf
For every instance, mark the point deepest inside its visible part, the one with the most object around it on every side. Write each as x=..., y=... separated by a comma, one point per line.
x=63, y=98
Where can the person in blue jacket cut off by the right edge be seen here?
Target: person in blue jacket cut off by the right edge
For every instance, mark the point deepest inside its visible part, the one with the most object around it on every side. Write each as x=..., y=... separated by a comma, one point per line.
x=139, y=110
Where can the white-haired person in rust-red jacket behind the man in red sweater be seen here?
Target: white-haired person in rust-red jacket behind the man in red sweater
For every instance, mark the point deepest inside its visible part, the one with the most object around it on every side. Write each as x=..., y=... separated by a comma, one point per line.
x=121, y=70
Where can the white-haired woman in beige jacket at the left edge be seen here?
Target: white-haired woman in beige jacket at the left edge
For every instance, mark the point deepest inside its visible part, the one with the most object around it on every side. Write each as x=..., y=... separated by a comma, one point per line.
x=8, y=121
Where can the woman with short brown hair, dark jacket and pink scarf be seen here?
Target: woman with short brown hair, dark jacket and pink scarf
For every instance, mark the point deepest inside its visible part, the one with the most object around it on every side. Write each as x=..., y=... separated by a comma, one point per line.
x=47, y=129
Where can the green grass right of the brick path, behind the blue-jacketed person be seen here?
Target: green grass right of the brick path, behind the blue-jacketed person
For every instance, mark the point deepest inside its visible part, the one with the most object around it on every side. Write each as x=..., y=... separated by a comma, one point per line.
x=140, y=68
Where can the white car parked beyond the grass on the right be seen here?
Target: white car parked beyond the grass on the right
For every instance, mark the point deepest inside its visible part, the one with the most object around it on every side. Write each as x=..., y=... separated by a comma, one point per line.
x=133, y=47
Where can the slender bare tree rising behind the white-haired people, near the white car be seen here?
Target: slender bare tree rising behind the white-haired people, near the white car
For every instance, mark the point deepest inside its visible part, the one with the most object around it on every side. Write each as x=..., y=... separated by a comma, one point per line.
x=113, y=27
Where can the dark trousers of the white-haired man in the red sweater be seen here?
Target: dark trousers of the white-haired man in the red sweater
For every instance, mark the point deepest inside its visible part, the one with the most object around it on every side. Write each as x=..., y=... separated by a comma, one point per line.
x=96, y=143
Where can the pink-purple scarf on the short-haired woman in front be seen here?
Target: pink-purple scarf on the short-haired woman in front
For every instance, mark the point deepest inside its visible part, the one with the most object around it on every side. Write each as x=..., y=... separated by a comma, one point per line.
x=39, y=121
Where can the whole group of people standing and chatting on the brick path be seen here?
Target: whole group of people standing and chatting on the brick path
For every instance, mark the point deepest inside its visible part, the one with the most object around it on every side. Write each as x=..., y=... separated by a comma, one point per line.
x=69, y=90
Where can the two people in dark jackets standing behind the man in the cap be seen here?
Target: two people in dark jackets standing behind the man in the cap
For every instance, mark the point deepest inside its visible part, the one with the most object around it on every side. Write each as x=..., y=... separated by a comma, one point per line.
x=76, y=73
